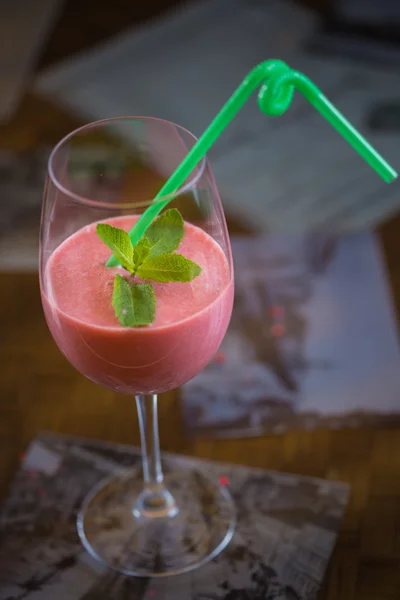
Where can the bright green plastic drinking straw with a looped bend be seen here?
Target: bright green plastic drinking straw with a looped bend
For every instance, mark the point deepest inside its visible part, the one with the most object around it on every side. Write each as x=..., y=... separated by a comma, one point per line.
x=278, y=82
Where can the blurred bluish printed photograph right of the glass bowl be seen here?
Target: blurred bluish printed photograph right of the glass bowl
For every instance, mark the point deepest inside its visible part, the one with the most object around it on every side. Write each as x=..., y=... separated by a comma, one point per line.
x=312, y=341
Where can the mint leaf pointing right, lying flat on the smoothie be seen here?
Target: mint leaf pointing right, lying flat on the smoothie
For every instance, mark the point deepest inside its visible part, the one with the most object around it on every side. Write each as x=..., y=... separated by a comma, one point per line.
x=169, y=267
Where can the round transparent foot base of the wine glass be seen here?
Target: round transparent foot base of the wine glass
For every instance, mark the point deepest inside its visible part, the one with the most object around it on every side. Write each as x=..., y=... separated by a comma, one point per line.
x=130, y=542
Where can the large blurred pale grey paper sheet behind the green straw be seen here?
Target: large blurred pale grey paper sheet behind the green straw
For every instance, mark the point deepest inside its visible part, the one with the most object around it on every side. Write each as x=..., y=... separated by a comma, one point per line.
x=292, y=173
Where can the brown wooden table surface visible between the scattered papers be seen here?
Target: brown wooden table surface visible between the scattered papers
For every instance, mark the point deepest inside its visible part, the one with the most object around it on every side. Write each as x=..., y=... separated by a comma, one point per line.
x=39, y=390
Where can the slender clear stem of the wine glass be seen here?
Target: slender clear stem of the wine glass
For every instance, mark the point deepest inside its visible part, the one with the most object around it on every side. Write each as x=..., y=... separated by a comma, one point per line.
x=155, y=500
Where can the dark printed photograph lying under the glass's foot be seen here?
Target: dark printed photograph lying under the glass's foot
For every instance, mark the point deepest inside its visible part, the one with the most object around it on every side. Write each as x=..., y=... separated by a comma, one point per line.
x=287, y=526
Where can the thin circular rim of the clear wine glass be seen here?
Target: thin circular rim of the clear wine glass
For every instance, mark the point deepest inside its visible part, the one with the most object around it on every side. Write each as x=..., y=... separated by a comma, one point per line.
x=80, y=199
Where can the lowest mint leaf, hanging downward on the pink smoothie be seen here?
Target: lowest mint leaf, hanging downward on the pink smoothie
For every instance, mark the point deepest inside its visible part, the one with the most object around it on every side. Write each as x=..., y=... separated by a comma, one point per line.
x=134, y=306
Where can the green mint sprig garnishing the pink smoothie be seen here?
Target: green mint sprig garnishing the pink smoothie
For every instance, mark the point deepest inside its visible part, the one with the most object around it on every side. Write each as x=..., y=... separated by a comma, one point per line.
x=152, y=258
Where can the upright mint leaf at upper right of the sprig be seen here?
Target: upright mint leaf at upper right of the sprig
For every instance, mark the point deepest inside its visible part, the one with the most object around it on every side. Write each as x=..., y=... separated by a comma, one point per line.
x=166, y=232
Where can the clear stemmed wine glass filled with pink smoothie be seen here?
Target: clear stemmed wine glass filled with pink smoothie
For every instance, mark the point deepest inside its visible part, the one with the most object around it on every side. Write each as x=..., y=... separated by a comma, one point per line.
x=142, y=521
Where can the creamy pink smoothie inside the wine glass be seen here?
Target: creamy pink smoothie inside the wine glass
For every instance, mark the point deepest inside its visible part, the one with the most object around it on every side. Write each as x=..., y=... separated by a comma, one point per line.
x=191, y=318
